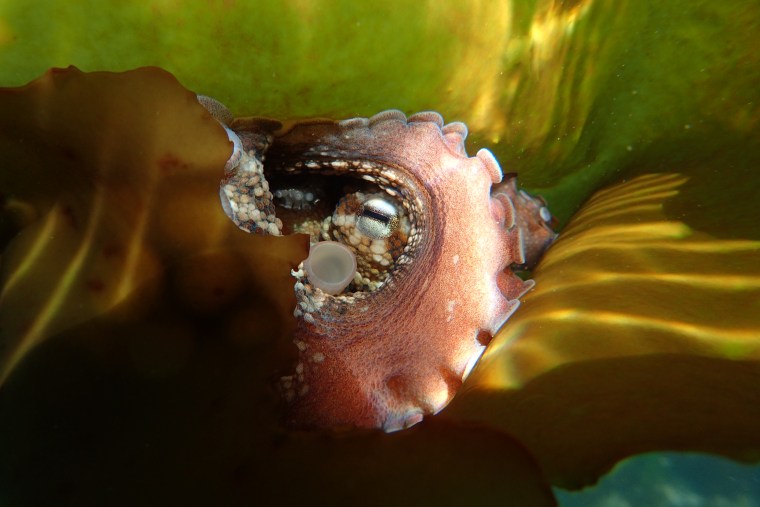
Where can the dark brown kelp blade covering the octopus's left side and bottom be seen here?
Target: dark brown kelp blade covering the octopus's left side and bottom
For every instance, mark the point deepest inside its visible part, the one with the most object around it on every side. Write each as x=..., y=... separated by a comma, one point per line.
x=143, y=333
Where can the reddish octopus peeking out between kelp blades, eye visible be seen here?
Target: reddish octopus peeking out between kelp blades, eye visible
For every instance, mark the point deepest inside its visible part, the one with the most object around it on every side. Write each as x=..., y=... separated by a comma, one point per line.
x=415, y=249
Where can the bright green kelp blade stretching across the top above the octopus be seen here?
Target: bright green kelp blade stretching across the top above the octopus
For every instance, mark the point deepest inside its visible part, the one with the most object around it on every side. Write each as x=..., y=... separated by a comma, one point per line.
x=566, y=93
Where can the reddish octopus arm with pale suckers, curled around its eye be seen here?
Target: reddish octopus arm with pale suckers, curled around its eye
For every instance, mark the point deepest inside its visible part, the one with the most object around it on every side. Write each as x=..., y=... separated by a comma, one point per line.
x=385, y=358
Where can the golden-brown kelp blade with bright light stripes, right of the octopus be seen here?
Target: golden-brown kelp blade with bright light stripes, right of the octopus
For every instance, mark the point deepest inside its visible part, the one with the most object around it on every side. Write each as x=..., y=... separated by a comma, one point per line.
x=642, y=333
